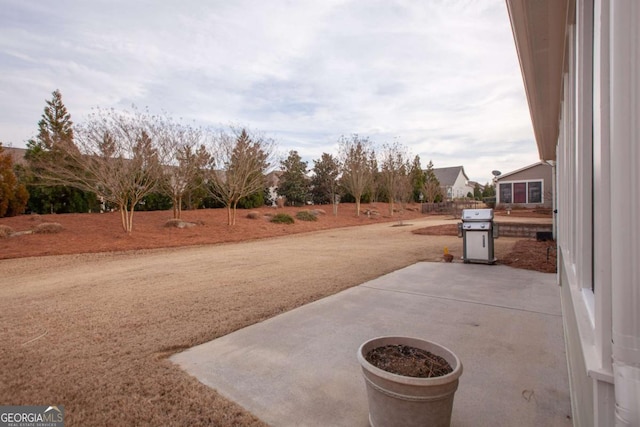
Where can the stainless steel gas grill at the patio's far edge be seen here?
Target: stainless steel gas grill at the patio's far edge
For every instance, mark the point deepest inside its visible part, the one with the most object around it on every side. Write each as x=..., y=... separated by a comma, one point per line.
x=478, y=231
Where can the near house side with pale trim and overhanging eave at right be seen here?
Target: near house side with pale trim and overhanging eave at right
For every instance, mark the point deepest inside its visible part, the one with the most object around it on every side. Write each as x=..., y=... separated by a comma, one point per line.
x=580, y=60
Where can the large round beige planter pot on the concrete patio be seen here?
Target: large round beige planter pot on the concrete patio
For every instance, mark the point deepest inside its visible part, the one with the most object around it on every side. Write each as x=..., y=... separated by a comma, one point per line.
x=397, y=400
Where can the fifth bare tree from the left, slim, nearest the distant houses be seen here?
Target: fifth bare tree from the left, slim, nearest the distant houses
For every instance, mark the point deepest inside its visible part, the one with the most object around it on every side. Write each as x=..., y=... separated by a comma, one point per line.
x=394, y=169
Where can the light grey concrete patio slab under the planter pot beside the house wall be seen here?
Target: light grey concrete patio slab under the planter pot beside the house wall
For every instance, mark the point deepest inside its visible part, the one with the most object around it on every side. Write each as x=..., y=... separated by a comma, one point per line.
x=300, y=368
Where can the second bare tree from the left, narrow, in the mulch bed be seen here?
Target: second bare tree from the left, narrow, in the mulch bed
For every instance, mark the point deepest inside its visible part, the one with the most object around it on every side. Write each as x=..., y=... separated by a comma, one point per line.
x=188, y=157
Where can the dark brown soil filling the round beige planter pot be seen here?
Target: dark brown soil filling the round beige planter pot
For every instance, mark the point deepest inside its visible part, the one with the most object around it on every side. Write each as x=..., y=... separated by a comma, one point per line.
x=408, y=361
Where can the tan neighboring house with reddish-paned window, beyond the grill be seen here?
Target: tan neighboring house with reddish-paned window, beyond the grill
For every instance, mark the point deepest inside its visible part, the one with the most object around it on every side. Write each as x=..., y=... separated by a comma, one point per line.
x=528, y=187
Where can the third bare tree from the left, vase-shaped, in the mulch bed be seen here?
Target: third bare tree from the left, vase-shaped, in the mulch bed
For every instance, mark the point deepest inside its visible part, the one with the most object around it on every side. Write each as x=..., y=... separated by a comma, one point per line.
x=240, y=162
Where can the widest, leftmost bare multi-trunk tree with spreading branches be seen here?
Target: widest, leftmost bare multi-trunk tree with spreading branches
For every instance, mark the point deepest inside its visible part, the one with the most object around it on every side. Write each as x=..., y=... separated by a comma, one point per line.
x=118, y=155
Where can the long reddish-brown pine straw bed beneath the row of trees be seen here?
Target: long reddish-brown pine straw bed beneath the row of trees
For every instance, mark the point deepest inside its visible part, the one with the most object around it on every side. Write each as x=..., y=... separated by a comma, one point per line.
x=102, y=232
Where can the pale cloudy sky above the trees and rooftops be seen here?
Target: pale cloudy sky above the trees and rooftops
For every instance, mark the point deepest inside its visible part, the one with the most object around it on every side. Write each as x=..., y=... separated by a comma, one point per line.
x=440, y=76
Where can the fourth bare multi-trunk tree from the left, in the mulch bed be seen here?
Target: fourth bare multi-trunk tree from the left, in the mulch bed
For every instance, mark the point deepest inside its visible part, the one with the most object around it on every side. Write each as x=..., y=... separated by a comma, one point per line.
x=355, y=156
